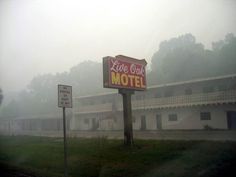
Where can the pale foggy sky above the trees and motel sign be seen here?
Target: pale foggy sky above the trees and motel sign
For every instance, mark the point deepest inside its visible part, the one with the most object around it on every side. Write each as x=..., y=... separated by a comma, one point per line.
x=49, y=36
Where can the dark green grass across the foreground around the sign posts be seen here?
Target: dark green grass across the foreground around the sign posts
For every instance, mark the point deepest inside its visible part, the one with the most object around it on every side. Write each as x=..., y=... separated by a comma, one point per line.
x=94, y=157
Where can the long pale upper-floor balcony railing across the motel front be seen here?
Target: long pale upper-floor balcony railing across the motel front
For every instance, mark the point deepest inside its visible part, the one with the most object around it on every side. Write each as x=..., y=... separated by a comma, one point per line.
x=222, y=97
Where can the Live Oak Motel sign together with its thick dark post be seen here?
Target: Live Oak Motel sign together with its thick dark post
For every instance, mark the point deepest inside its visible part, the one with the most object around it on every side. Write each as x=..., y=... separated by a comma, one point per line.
x=126, y=74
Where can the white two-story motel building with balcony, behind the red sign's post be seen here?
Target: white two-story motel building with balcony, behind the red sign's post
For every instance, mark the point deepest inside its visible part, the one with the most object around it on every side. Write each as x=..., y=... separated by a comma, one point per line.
x=207, y=103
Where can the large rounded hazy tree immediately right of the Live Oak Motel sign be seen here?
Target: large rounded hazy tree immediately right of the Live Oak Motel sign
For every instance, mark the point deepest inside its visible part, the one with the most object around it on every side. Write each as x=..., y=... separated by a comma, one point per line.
x=178, y=59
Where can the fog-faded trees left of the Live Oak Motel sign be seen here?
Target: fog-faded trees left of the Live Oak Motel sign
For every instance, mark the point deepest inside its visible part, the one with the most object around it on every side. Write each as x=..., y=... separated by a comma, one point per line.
x=41, y=96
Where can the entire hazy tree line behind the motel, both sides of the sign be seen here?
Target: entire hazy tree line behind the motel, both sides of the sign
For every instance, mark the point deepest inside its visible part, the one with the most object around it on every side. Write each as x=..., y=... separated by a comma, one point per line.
x=177, y=59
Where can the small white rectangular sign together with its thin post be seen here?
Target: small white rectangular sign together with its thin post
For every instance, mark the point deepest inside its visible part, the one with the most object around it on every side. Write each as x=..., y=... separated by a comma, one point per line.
x=65, y=101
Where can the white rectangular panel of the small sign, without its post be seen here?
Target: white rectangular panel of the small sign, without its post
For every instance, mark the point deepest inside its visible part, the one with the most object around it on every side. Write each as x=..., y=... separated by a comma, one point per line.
x=65, y=96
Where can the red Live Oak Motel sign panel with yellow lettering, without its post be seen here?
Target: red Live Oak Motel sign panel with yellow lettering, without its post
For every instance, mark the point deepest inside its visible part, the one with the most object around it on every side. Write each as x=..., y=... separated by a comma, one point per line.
x=124, y=72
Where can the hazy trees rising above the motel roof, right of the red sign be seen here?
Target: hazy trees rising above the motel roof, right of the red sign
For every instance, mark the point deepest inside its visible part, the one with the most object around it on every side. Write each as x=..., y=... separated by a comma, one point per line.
x=181, y=58
